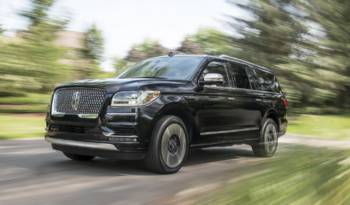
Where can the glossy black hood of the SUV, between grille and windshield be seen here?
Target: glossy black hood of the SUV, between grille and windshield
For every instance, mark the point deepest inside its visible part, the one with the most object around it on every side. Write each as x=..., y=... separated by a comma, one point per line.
x=113, y=85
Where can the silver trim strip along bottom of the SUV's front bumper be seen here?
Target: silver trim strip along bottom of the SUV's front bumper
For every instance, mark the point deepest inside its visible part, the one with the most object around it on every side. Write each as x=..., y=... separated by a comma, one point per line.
x=92, y=145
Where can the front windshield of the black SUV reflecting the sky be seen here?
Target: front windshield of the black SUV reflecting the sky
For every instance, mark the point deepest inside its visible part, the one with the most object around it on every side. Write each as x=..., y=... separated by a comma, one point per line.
x=171, y=68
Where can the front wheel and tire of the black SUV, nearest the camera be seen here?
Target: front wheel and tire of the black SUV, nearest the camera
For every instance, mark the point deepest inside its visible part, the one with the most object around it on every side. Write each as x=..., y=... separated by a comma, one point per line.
x=168, y=147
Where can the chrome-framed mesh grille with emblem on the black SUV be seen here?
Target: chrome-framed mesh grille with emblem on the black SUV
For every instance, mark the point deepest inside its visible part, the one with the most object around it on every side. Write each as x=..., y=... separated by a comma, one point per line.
x=88, y=101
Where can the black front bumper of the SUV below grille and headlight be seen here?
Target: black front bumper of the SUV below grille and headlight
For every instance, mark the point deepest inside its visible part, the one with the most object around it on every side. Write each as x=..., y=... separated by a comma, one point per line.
x=116, y=133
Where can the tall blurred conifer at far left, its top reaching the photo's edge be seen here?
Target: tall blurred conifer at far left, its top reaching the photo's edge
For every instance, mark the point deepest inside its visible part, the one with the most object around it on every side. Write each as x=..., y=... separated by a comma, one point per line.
x=34, y=63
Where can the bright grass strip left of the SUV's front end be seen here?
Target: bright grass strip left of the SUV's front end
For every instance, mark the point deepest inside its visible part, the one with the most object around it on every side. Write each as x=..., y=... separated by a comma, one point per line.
x=21, y=126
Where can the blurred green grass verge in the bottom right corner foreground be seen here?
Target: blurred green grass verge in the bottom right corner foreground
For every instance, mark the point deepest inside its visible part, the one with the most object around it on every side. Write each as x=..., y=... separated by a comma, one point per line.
x=303, y=176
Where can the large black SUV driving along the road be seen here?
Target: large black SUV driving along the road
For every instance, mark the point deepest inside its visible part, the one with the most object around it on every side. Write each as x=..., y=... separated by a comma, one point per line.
x=163, y=106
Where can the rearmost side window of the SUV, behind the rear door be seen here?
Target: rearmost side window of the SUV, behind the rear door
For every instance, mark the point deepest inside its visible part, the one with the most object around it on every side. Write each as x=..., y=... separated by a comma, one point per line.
x=265, y=81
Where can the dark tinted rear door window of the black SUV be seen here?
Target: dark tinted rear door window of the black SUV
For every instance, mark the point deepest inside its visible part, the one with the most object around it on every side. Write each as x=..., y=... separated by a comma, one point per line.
x=239, y=76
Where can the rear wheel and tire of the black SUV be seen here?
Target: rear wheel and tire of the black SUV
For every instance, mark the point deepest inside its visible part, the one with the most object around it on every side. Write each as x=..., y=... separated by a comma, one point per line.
x=268, y=142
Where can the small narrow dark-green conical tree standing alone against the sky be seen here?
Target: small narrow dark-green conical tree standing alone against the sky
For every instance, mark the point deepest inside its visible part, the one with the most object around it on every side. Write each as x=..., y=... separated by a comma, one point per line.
x=94, y=44
